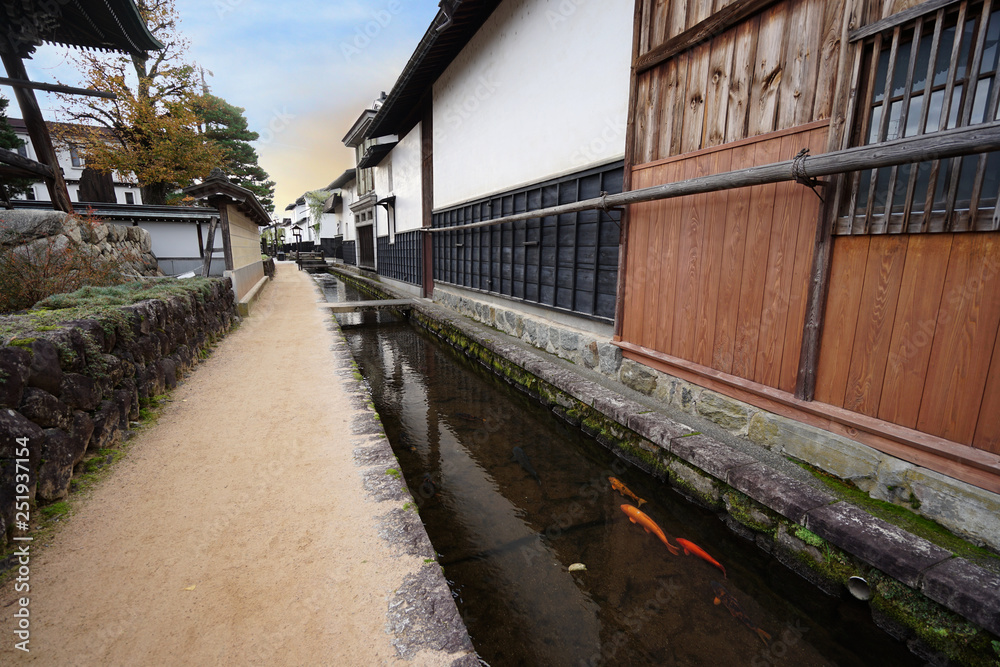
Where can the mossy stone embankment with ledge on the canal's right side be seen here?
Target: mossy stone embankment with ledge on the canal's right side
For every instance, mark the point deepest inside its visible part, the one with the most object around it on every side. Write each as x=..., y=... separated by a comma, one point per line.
x=940, y=600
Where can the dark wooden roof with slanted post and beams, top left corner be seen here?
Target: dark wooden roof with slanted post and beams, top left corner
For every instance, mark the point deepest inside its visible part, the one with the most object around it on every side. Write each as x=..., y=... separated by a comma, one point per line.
x=106, y=25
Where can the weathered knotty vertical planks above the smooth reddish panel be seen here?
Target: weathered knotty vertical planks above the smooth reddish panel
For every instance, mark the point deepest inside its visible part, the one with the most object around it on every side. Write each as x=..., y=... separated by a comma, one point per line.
x=773, y=71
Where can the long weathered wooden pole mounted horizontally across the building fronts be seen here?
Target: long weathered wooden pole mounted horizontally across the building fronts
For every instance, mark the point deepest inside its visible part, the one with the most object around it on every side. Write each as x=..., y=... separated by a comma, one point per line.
x=969, y=140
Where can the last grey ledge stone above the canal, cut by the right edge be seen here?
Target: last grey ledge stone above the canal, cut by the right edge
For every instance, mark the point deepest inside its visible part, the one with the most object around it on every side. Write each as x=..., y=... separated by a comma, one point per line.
x=966, y=589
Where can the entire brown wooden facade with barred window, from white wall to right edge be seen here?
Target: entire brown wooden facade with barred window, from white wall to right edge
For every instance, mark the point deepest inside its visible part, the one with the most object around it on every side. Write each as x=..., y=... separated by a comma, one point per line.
x=718, y=288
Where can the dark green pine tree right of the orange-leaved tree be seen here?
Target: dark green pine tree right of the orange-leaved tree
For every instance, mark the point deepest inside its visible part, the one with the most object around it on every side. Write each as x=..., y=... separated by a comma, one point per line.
x=226, y=125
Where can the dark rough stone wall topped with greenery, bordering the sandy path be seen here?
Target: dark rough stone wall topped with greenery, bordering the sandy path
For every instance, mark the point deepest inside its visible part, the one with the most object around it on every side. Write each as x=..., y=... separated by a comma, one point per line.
x=73, y=389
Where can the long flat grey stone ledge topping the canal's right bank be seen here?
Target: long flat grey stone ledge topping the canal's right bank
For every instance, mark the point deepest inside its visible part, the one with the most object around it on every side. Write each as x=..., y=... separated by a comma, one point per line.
x=962, y=587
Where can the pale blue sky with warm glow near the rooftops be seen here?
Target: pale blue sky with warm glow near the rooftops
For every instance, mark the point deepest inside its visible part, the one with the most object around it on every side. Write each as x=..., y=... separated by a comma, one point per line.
x=303, y=69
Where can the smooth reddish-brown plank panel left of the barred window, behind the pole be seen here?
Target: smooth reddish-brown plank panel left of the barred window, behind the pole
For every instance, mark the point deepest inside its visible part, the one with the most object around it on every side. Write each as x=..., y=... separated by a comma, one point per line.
x=720, y=279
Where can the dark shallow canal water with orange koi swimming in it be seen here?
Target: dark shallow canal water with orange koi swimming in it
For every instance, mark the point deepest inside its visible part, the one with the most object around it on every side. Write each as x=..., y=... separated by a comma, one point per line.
x=517, y=503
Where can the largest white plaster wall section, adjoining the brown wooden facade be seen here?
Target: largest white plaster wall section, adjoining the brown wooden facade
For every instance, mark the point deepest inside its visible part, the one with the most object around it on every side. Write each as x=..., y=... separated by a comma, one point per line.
x=540, y=91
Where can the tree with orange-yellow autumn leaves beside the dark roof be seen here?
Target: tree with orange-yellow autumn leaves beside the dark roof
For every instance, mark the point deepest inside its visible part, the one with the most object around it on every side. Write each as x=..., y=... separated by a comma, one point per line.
x=151, y=130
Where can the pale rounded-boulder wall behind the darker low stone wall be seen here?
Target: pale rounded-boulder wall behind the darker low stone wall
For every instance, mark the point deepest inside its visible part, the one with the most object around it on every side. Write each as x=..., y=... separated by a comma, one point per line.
x=38, y=233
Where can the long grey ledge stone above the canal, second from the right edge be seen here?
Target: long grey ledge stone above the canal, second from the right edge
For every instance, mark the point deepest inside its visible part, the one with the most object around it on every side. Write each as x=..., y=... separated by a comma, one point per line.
x=896, y=552
